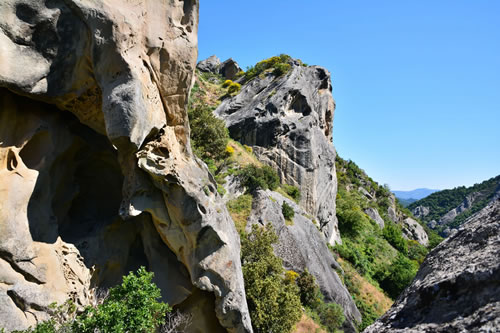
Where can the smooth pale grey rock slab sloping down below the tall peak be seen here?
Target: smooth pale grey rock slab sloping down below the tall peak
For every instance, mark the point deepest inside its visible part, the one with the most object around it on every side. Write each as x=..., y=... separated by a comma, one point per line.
x=300, y=246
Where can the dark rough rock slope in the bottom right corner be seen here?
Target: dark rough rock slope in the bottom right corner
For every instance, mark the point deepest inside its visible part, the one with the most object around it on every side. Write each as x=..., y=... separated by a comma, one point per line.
x=457, y=288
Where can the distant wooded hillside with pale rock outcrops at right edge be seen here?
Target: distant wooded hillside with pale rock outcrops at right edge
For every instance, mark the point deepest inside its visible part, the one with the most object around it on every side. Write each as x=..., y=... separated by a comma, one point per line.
x=446, y=210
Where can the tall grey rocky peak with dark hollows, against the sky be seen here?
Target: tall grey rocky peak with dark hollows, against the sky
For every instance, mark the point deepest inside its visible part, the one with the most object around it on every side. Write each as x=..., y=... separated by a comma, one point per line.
x=288, y=122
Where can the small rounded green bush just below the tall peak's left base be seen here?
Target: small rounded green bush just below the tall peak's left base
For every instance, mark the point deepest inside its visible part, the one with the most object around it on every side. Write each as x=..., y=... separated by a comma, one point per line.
x=254, y=177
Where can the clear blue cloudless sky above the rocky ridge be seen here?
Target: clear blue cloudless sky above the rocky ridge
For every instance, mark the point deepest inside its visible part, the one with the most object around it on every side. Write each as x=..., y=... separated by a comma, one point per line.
x=417, y=83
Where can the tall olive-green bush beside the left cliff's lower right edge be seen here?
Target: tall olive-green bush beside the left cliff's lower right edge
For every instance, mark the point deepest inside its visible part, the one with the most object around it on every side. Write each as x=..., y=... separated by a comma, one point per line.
x=272, y=301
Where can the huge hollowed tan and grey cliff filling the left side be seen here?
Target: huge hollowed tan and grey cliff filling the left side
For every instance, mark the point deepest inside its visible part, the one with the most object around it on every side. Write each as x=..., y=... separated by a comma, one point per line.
x=89, y=194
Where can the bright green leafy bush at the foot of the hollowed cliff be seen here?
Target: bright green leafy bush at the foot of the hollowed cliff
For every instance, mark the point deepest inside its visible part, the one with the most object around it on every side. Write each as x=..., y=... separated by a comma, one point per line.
x=132, y=306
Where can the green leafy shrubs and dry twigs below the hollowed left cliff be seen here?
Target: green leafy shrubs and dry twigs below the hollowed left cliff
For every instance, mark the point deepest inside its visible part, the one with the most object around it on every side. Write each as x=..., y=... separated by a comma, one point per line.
x=132, y=306
